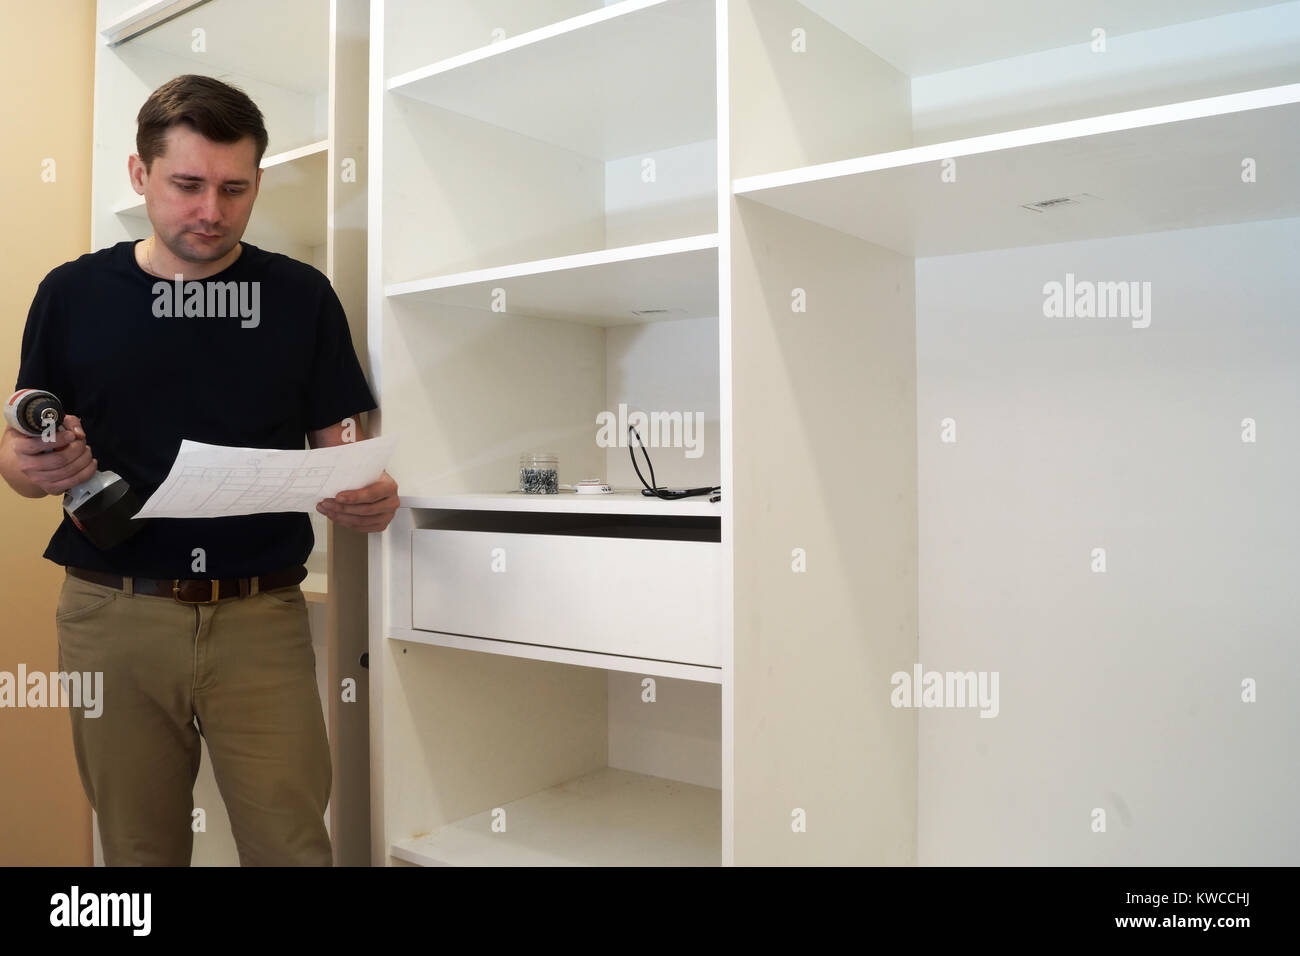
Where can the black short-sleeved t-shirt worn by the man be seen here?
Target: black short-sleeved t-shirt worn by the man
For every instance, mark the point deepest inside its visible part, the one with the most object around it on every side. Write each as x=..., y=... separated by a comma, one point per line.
x=101, y=339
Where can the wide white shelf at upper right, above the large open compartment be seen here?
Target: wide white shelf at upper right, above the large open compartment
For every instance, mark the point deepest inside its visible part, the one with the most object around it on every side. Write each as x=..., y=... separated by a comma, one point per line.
x=1171, y=167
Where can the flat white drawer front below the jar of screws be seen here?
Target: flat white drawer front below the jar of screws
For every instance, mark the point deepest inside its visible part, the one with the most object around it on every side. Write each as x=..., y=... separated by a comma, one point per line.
x=636, y=598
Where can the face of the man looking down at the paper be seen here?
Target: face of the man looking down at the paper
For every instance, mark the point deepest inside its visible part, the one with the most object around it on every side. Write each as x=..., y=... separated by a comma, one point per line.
x=200, y=194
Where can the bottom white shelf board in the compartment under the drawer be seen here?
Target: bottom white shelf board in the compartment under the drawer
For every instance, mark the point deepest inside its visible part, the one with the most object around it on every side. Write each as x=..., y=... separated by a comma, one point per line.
x=605, y=819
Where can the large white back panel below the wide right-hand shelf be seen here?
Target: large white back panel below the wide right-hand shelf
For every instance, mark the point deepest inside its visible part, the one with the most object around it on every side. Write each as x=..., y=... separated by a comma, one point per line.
x=1120, y=691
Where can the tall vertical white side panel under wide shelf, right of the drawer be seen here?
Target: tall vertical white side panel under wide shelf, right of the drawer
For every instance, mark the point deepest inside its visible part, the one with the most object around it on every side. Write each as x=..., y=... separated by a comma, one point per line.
x=825, y=543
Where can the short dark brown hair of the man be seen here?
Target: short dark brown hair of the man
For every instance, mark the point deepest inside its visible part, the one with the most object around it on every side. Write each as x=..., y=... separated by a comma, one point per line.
x=215, y=110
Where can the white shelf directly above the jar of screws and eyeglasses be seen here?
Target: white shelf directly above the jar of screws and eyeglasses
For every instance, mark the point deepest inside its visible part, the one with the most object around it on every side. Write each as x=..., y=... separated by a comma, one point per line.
x=605, y=288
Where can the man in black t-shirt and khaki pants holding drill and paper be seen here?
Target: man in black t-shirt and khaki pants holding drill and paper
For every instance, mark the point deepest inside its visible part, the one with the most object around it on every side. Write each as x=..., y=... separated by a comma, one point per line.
x=140, y=378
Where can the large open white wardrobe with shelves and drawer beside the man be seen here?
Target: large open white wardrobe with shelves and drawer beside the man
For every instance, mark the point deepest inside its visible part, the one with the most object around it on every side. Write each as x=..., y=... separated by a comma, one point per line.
x=989, y=313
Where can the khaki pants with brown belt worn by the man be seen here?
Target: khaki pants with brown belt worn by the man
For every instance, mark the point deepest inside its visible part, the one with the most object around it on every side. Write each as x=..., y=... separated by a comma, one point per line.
x=242, y=673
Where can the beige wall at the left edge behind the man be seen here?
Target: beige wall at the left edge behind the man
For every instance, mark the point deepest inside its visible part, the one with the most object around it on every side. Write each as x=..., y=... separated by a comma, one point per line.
x=47, y=59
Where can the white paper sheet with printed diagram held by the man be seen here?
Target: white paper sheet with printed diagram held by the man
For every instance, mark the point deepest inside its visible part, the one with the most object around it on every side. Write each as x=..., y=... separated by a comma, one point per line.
x=218, y=481
